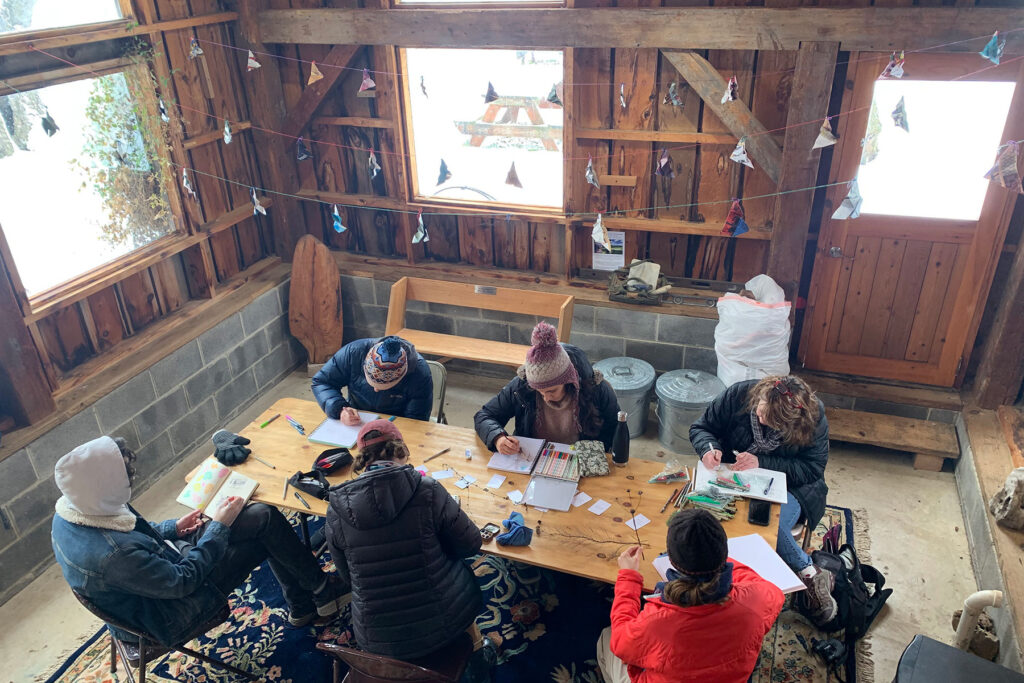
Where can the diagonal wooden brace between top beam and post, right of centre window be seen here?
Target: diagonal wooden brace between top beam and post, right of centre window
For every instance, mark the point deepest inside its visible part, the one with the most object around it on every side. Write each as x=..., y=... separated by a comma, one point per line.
x=737, y=116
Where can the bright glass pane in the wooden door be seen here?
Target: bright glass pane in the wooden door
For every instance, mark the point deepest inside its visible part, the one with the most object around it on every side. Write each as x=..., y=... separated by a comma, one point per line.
x=937, y=169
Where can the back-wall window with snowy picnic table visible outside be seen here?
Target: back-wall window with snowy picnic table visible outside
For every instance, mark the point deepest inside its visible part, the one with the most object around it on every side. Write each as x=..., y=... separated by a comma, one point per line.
x=480, y=142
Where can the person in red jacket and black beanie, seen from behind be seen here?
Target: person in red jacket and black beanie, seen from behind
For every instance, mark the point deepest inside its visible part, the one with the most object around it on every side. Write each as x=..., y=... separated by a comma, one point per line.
x=709, y=622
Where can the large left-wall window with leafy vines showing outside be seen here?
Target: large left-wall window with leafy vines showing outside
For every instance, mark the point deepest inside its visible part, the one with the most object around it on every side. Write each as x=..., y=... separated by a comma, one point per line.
x=93, y=192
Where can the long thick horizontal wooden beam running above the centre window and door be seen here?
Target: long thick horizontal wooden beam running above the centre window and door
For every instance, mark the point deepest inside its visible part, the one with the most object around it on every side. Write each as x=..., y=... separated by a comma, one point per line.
x=874, y=29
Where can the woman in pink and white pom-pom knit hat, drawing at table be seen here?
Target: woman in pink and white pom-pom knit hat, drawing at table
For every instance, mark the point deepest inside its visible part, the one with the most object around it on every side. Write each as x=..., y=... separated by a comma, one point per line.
x=557, y=396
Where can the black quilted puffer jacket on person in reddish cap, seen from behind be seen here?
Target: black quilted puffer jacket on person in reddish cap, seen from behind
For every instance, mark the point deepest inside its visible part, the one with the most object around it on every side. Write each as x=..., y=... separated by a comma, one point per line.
x=399, y=540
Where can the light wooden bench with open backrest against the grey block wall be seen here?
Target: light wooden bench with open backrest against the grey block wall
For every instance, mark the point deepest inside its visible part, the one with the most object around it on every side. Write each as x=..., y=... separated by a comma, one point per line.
x=527, y=303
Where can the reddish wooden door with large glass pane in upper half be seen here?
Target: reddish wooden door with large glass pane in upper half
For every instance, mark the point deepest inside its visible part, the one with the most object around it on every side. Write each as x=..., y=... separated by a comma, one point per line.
x=901, y=296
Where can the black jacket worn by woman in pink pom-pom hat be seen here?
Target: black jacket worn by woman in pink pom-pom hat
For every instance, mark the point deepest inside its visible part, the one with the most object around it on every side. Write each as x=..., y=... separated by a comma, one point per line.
x=517, y=400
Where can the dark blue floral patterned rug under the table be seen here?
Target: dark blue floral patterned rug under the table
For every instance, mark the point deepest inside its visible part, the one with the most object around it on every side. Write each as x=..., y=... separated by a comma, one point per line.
x=546, y=624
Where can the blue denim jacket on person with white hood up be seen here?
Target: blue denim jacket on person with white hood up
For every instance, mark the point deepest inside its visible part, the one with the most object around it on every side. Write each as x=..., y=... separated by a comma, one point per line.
x=136, y=579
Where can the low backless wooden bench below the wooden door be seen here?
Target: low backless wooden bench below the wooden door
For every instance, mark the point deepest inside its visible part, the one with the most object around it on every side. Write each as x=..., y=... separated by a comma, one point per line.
x=931, y=443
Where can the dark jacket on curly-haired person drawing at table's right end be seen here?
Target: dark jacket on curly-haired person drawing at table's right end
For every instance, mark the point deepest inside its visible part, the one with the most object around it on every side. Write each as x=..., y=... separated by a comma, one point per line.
x=727, y=425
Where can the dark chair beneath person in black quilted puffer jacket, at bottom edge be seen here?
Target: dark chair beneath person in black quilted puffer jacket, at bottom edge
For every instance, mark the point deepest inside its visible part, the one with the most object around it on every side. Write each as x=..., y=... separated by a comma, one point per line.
x=445, y=666
